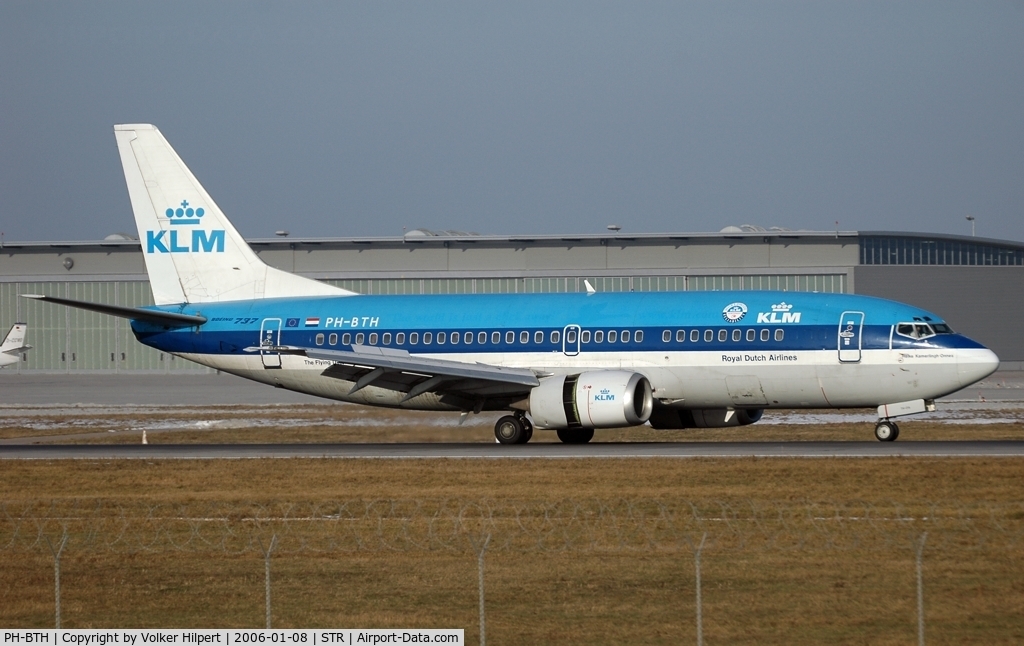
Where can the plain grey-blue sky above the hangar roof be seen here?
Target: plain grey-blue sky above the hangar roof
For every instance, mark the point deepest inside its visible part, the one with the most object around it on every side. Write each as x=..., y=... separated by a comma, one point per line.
x=362, y=118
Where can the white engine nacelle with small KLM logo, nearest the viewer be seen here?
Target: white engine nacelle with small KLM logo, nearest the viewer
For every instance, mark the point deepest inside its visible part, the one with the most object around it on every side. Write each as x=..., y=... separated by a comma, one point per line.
x=598, y=400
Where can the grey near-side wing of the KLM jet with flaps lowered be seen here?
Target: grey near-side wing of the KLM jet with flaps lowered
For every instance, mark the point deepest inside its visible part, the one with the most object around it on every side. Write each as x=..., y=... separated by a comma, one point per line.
x=398, y=370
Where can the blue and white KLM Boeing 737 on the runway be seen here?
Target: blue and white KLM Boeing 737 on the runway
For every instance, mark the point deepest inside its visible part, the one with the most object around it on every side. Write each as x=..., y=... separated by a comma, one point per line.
x=569, y=363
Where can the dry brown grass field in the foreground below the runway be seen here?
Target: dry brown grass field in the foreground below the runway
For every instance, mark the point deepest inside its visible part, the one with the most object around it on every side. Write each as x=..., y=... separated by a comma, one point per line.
x=857, y=585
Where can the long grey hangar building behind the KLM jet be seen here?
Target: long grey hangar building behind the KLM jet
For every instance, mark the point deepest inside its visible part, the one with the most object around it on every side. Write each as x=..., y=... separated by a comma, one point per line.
x=976, y=285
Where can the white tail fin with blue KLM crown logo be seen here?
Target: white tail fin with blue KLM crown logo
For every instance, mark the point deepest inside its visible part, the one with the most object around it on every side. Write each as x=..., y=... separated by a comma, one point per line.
x=193, y=254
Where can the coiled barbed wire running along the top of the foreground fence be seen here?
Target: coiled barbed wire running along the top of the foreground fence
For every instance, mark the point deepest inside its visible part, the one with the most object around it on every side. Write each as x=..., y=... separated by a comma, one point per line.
x=457, y=525
